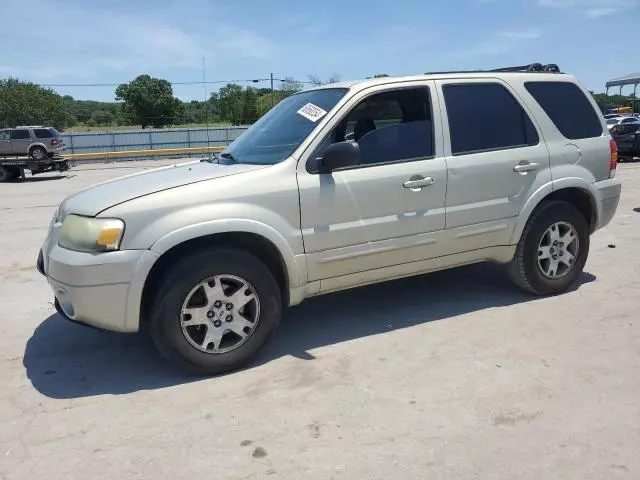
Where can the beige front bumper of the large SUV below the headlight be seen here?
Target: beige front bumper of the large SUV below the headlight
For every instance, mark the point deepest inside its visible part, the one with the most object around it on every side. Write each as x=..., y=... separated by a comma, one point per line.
x=101, y=290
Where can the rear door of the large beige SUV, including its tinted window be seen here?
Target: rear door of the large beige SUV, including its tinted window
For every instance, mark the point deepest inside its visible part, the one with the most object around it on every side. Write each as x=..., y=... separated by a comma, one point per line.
x=496, y=159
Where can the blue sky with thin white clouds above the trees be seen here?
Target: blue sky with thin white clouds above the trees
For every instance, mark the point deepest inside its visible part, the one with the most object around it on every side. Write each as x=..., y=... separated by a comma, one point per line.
x=112, y=41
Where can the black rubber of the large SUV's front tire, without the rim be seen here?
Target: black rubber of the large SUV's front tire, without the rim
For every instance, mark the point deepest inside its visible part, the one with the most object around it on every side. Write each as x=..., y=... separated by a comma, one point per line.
x=179, y=280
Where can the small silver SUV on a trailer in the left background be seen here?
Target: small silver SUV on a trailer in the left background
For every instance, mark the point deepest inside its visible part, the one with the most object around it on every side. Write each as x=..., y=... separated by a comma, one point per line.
x=37, y=142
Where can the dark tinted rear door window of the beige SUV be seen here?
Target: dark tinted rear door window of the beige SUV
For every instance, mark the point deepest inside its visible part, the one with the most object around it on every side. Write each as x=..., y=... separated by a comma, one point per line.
x=486, y=117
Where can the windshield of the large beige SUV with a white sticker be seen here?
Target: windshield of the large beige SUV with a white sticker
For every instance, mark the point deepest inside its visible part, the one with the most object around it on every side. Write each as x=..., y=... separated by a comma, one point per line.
x=278, y=133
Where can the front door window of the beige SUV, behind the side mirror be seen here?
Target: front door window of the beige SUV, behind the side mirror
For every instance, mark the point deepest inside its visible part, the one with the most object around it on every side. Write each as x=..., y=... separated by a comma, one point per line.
x=389, y=127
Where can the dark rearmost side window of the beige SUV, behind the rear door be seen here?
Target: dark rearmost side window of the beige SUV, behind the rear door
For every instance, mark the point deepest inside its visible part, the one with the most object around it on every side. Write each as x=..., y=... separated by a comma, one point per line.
x=568, y=108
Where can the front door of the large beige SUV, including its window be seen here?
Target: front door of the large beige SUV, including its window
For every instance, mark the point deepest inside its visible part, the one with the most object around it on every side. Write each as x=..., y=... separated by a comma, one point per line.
x=386, y=210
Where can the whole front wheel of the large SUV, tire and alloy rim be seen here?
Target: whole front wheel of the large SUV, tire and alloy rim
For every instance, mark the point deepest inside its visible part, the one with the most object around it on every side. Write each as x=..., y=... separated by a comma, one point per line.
x=215, y=311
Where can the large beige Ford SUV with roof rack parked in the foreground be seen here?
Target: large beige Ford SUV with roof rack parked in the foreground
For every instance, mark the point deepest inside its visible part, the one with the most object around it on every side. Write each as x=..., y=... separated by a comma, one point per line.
x=437, y=171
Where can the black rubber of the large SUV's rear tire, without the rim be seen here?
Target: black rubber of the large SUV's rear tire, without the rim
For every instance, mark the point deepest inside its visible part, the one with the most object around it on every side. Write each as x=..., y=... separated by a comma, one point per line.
x=524, y=269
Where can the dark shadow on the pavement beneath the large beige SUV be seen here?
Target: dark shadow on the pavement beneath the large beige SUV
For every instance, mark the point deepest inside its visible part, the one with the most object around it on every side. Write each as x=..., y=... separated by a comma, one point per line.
x=64, y=360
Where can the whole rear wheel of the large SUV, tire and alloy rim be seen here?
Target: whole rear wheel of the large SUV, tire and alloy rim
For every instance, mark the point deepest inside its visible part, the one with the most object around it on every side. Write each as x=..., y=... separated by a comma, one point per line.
x=552, y=250
